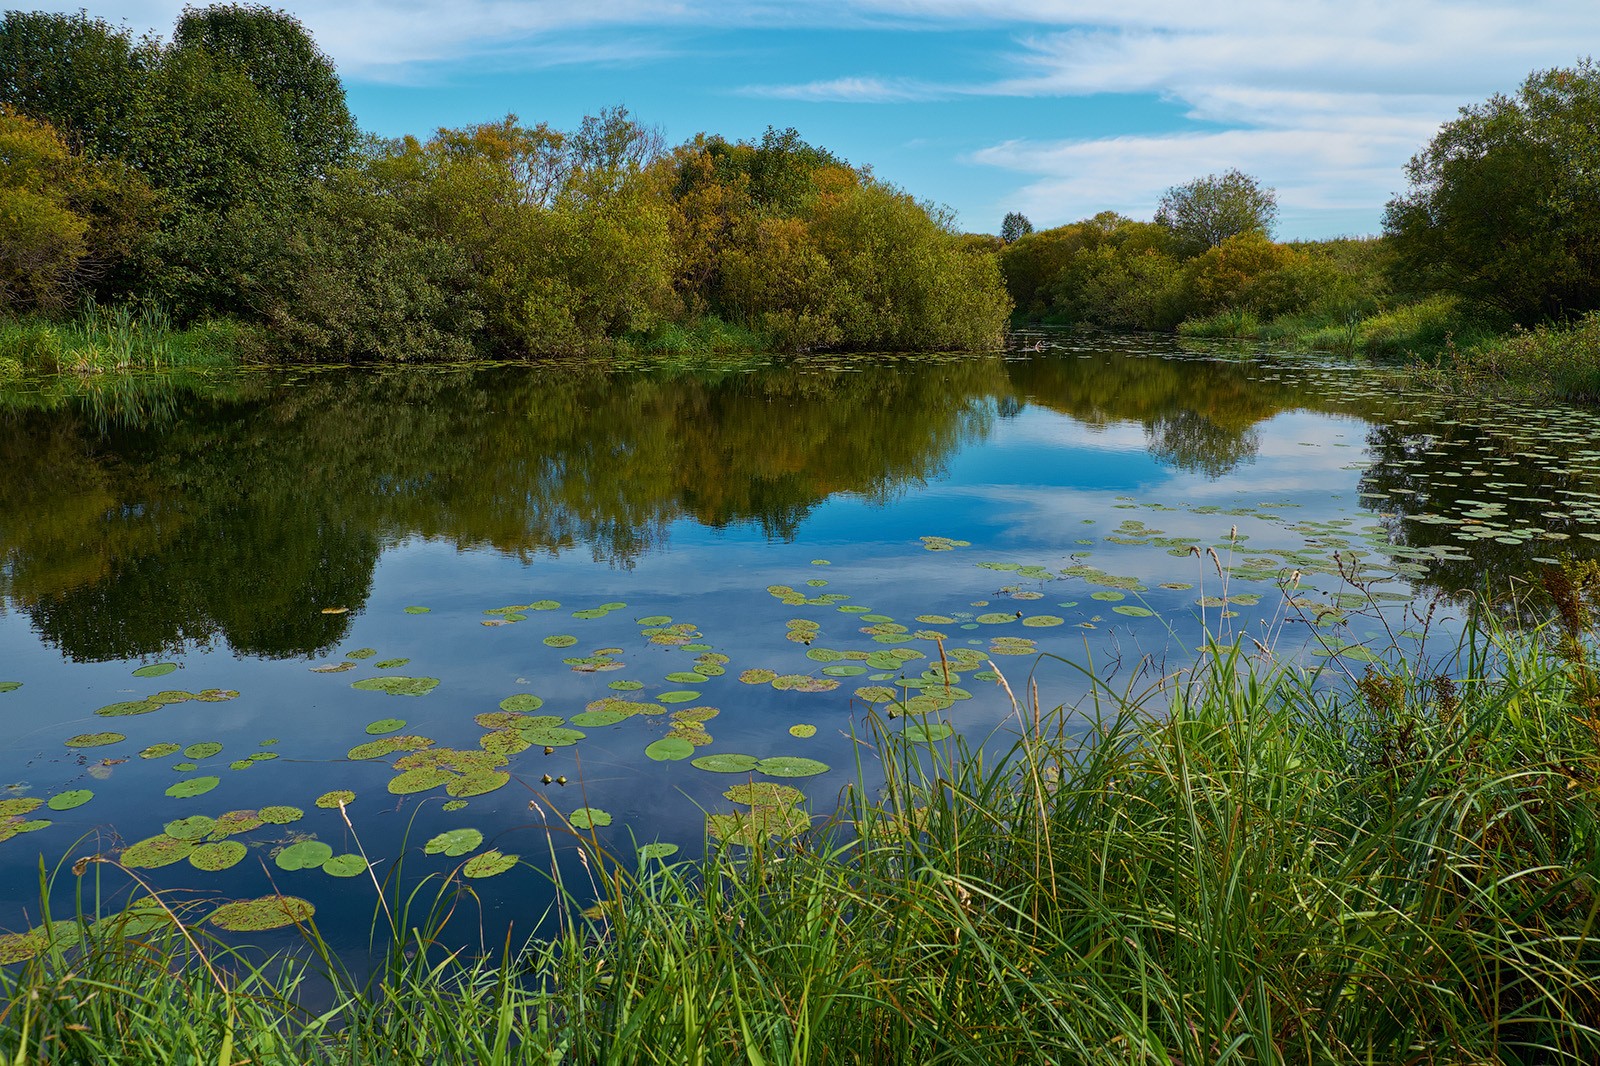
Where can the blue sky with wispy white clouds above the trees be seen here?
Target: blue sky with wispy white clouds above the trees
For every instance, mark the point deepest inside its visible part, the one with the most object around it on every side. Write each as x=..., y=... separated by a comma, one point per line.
x=1052, y=108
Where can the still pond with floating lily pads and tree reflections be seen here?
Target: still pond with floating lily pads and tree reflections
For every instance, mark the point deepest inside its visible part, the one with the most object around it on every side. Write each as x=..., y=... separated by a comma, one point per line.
x=492, y=607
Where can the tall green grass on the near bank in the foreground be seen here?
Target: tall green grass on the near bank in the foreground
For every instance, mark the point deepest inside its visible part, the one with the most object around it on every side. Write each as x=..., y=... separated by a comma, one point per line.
x=1231, y=868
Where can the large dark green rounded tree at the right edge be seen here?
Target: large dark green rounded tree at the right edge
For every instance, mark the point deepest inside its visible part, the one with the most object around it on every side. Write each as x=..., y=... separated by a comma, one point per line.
x=1505, y=202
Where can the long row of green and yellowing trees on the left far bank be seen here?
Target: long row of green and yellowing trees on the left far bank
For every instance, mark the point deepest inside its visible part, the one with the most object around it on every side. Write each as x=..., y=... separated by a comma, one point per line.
x=222, y=175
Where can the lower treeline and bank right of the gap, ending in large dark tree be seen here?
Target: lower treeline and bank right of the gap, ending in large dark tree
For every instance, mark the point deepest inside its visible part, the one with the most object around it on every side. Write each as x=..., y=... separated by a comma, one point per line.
x=1498, y=233
